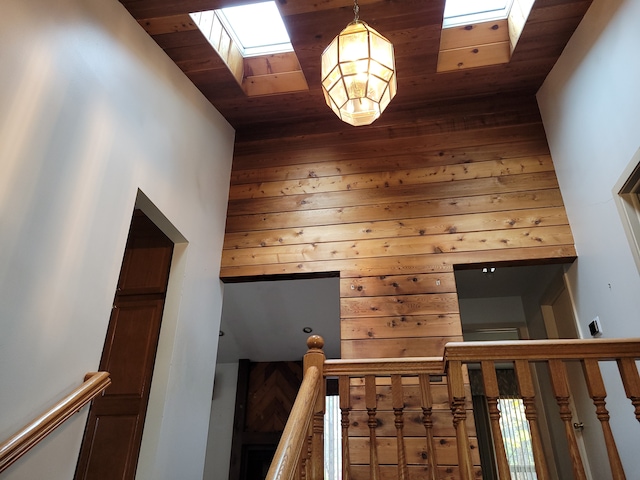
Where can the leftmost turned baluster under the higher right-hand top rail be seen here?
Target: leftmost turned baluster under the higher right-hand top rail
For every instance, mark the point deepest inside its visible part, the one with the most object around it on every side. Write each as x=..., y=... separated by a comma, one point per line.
x=457, y=399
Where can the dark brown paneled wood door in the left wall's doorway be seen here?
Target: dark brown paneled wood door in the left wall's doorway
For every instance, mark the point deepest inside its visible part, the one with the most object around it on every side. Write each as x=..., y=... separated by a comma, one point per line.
x=114, y=429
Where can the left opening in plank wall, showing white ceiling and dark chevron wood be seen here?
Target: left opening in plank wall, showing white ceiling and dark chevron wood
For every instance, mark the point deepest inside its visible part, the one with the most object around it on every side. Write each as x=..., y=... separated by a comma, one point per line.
x=264, y=328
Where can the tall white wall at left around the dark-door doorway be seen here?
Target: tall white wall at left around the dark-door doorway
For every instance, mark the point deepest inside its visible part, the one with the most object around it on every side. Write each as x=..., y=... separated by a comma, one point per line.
x=91, y=111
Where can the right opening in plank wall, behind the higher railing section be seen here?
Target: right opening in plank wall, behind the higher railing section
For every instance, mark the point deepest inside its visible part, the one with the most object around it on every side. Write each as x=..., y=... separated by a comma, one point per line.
x=507, y=303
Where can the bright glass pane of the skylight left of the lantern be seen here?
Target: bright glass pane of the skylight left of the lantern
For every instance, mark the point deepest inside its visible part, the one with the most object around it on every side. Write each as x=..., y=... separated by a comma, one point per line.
x=258, y=28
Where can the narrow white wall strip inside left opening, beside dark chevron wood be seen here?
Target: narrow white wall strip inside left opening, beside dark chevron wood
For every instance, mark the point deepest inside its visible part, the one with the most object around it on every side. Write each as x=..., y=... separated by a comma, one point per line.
x=223, y=408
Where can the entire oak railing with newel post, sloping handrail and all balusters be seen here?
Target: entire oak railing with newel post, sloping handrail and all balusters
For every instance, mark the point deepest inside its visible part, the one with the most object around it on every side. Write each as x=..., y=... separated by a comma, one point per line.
x=380, y=398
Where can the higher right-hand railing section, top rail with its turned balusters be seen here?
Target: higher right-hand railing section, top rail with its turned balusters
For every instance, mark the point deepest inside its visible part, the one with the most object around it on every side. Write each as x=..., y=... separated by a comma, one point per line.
x=555, y=353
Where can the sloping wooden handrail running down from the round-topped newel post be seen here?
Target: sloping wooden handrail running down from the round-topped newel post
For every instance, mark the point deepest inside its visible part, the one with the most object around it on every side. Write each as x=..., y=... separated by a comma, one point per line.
x=294, y=436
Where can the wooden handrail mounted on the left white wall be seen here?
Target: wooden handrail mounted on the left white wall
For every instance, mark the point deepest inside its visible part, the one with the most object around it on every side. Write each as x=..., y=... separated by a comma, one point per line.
x=28, y=436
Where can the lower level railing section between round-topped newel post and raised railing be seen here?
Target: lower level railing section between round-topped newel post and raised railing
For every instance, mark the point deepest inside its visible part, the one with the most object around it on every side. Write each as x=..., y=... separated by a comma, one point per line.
x=393, y=392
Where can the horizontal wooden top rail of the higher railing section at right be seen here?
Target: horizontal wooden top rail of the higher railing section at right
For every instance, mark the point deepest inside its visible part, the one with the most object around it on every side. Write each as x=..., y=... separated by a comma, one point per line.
x=540, y=350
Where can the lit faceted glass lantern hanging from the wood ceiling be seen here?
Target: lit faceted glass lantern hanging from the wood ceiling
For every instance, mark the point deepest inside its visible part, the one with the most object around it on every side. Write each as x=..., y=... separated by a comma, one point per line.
x=358, y=73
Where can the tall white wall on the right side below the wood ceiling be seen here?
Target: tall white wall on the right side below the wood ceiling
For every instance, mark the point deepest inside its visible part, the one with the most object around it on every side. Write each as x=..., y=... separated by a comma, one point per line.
x=590, y=104
